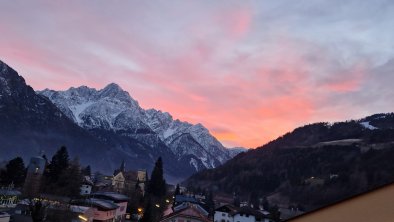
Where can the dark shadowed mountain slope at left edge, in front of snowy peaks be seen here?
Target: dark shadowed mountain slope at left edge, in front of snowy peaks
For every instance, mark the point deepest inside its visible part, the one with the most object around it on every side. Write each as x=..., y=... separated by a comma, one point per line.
x=30, y=123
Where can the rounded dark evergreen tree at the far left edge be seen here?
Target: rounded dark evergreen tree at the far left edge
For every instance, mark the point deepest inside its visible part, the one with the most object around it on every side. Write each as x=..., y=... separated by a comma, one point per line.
x=15, y=172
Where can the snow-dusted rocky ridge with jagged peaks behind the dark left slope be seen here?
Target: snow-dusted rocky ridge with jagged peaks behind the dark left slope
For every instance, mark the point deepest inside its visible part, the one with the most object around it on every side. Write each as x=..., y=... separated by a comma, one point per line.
x=113, y=109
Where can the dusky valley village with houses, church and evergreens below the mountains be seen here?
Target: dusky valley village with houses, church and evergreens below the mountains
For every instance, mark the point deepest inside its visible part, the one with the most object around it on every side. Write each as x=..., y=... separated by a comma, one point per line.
x=126, y=195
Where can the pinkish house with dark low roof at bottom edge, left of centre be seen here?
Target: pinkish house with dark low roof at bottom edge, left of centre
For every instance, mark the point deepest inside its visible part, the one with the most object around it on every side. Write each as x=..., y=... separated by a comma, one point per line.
x=94, y=209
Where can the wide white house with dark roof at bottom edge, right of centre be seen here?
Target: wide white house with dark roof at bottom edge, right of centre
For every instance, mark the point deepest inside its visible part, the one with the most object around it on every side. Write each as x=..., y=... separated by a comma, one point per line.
x=230, y=213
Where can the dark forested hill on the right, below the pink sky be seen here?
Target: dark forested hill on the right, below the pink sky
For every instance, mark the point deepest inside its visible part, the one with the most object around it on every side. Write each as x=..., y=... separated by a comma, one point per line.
x=312, y=166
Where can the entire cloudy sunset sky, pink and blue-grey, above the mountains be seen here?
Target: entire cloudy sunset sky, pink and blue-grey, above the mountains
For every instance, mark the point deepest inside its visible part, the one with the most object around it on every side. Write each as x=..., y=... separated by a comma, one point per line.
x=249, y=71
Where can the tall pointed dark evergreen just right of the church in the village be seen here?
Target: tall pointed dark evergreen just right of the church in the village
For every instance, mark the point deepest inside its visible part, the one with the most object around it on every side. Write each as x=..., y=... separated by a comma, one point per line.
x=157, y=184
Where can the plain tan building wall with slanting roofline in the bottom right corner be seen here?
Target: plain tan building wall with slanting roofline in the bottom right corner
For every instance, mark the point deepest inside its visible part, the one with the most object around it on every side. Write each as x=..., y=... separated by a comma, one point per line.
x=375, y=205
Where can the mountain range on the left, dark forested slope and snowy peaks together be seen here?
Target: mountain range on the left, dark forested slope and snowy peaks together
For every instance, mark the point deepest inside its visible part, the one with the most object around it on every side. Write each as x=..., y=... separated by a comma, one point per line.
x=101, y=127
